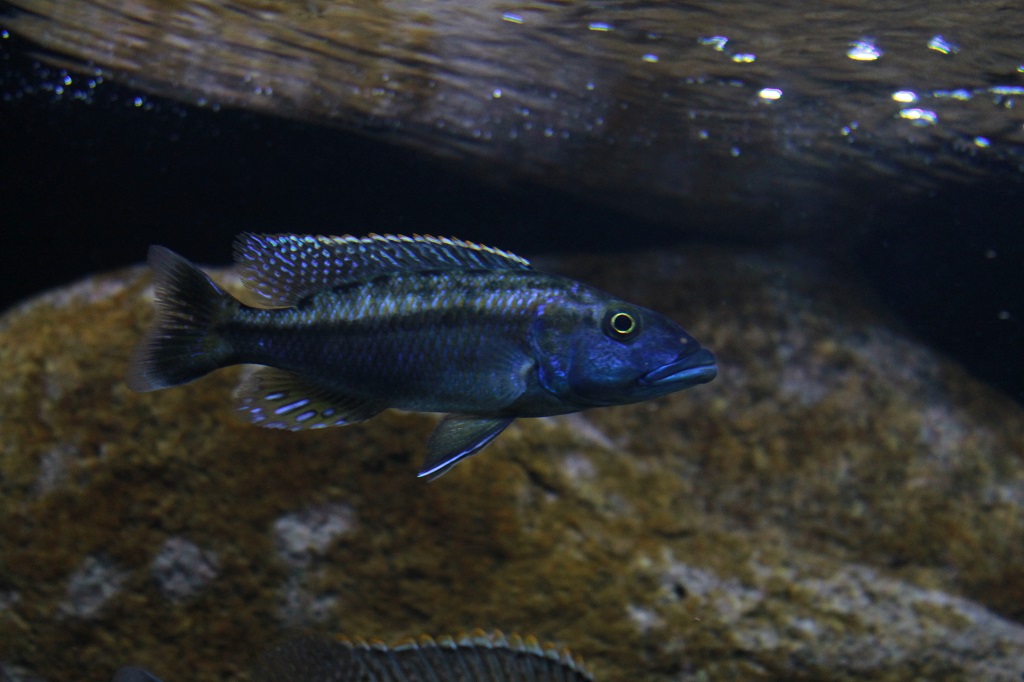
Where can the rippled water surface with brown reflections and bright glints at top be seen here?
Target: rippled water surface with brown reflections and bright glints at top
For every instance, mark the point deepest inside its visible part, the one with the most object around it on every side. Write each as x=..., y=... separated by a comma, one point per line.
x=786, y=112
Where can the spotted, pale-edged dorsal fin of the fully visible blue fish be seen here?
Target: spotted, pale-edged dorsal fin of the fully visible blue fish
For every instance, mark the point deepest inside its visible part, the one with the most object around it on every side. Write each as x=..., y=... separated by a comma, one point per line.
x=284, y=270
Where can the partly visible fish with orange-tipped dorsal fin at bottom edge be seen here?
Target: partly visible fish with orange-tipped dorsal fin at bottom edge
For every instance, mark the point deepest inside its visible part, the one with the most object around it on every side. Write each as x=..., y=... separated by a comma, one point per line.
x=478, y=657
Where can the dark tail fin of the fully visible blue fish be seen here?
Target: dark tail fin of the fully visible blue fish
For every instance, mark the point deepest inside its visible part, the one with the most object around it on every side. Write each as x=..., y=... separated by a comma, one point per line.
x=184, y=344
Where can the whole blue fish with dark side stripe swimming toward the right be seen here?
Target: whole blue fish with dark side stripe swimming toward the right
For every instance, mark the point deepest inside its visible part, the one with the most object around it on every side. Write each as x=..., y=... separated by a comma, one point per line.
x=350, y=326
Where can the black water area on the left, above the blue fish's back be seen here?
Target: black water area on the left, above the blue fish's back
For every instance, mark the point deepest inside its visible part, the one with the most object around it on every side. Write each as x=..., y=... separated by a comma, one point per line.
x=90, y=188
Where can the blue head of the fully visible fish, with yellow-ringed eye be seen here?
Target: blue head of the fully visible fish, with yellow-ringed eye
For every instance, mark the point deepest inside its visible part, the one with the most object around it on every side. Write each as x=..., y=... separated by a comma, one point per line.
x=614, y=353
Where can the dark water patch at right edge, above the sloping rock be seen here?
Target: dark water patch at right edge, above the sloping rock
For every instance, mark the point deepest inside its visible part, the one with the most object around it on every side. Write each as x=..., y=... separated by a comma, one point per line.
x=954, y=271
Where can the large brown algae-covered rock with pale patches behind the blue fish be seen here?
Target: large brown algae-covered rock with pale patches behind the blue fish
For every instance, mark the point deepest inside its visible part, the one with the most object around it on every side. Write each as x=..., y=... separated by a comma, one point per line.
x=842, y=503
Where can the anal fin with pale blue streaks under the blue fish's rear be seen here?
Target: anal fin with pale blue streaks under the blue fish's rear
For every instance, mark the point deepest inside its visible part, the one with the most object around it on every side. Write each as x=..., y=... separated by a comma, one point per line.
x=278, y=400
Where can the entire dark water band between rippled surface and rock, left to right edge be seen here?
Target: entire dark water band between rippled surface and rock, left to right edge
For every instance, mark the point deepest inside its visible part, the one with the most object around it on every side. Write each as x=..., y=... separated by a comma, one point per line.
x=87, y=186
